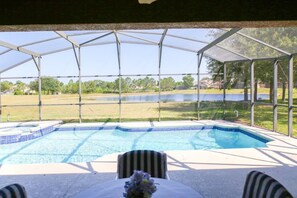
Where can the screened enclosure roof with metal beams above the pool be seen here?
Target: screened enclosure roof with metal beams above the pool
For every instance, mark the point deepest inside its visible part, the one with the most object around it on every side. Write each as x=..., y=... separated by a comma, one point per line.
x=223, y=45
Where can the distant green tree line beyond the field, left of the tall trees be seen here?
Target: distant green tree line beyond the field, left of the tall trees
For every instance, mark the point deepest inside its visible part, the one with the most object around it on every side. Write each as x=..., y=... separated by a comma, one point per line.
x=50, y=85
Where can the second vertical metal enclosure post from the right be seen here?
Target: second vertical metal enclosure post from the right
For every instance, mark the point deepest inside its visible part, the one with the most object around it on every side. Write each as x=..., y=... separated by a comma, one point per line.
x=275, y=74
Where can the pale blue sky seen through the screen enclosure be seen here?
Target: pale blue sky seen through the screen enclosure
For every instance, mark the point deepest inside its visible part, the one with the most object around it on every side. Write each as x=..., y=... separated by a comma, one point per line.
x=102, y=59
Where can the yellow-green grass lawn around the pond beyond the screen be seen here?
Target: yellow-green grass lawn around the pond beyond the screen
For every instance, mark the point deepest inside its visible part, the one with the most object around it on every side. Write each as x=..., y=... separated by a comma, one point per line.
x=92, y=112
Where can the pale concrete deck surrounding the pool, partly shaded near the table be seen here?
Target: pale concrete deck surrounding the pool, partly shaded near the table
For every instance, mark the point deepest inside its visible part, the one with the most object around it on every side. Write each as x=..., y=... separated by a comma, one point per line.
x=214, y=173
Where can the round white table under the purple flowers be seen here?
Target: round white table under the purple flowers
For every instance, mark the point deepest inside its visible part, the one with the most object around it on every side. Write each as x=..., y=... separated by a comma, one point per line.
x=115, y=189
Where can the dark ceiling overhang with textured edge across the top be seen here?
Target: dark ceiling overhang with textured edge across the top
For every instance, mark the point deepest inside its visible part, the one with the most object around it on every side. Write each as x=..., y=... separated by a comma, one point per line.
x=29, y=15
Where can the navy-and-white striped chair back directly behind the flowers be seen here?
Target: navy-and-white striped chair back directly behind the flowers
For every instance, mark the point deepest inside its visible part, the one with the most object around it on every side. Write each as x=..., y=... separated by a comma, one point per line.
x=152, y=162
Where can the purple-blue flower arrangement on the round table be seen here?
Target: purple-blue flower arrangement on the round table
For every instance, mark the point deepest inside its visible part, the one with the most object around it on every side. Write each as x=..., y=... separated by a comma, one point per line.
x=140, y=185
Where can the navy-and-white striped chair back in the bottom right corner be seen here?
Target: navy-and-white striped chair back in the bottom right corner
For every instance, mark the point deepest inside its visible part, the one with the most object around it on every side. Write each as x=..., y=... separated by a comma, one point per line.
x=260, y=185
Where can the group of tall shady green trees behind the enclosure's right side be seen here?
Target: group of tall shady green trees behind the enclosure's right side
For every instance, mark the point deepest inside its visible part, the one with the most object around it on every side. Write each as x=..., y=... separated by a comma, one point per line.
x=283, y=38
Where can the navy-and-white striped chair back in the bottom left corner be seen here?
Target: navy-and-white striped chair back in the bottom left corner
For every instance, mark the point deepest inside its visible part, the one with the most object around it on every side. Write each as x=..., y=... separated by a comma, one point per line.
x=13, y=191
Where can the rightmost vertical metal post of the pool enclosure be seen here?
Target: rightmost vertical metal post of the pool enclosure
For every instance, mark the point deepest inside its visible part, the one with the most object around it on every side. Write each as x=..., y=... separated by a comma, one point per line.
x=290, y=96
